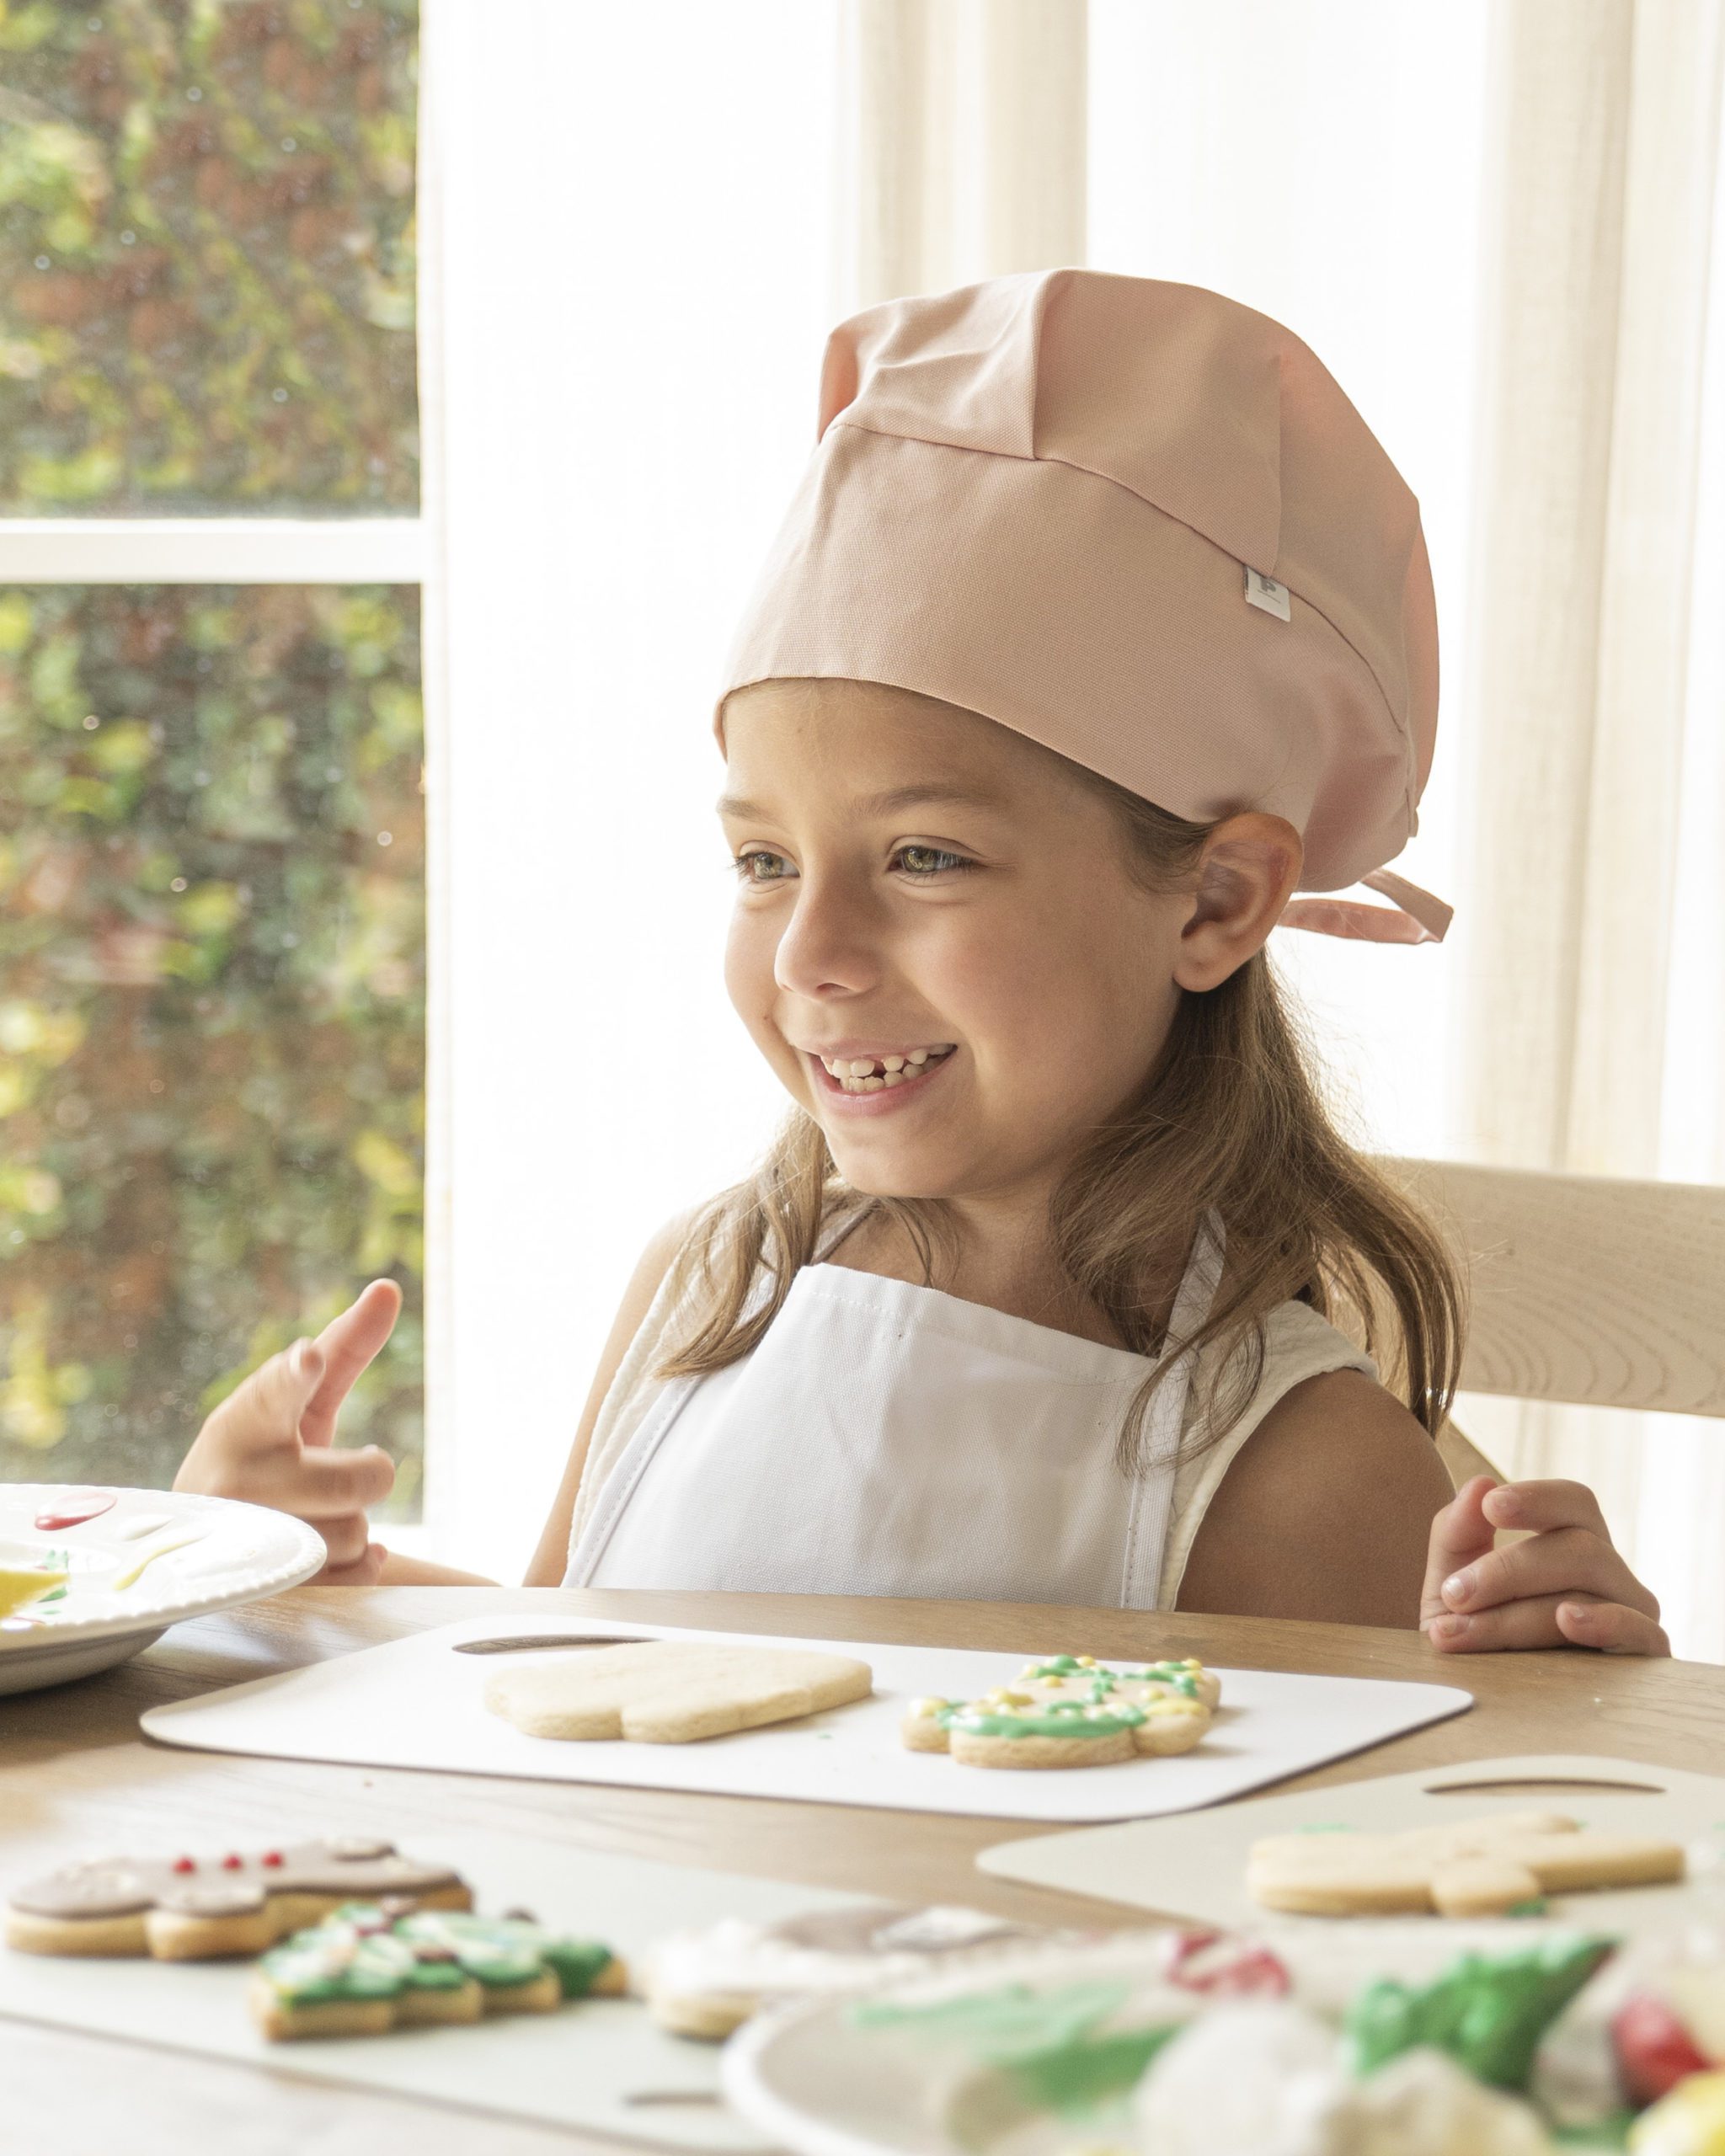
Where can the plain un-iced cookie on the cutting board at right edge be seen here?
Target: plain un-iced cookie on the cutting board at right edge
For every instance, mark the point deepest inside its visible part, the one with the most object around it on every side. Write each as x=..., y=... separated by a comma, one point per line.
x=1476, y=1868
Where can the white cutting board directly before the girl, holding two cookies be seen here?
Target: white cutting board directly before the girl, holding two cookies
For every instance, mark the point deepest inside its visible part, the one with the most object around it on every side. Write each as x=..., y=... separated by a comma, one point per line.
x=417, y=1702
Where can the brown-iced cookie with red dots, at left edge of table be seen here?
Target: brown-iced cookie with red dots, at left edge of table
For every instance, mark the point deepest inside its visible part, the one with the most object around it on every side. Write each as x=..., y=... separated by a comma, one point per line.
x=195, y=1909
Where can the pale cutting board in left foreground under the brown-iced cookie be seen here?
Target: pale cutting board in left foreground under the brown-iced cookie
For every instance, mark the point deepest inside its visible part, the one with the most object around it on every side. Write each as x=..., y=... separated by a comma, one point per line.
x=585, y=2067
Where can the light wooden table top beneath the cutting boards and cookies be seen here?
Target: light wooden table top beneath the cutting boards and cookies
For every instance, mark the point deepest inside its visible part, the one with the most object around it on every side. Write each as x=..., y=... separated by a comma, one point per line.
x=77, y=1771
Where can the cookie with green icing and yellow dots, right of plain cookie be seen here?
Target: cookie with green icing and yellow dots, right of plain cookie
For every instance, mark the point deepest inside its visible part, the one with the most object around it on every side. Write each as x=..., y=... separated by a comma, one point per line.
x=1071, y=1711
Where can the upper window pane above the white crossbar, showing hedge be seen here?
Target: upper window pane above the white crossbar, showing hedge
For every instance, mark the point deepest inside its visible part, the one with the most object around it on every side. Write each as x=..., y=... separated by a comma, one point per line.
x=208, y=258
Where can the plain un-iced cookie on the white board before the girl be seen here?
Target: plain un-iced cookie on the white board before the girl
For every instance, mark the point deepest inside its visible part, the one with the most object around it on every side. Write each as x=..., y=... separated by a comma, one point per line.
x=672, y=1691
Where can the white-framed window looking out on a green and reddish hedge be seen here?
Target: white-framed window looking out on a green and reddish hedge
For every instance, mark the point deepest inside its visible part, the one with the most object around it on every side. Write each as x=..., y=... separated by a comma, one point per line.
x=212, y=833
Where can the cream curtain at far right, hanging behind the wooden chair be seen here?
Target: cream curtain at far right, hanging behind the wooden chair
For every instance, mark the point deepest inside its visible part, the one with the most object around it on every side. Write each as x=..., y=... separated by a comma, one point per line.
x=1592, y=930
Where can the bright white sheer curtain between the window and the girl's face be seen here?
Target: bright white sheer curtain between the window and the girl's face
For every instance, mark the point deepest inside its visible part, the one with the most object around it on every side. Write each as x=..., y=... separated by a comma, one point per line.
x=631, y=279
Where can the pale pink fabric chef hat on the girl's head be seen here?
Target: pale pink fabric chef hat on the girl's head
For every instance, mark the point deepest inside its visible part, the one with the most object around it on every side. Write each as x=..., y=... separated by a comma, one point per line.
x=1144, y=527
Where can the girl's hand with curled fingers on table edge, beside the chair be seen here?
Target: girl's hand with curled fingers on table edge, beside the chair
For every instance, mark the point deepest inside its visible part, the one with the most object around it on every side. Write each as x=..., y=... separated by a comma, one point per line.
x=1562, y=1586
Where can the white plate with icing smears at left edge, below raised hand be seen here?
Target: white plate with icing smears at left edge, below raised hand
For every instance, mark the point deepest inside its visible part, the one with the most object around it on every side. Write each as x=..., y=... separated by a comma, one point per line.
x=139, y=1562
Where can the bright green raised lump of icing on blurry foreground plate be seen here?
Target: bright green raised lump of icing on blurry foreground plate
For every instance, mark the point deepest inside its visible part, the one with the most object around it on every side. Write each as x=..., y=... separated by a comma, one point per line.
x=1489, y=2013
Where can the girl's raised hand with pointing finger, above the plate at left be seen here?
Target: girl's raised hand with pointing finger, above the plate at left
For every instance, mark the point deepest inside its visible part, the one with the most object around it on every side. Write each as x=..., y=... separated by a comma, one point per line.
x=271, y=1439
